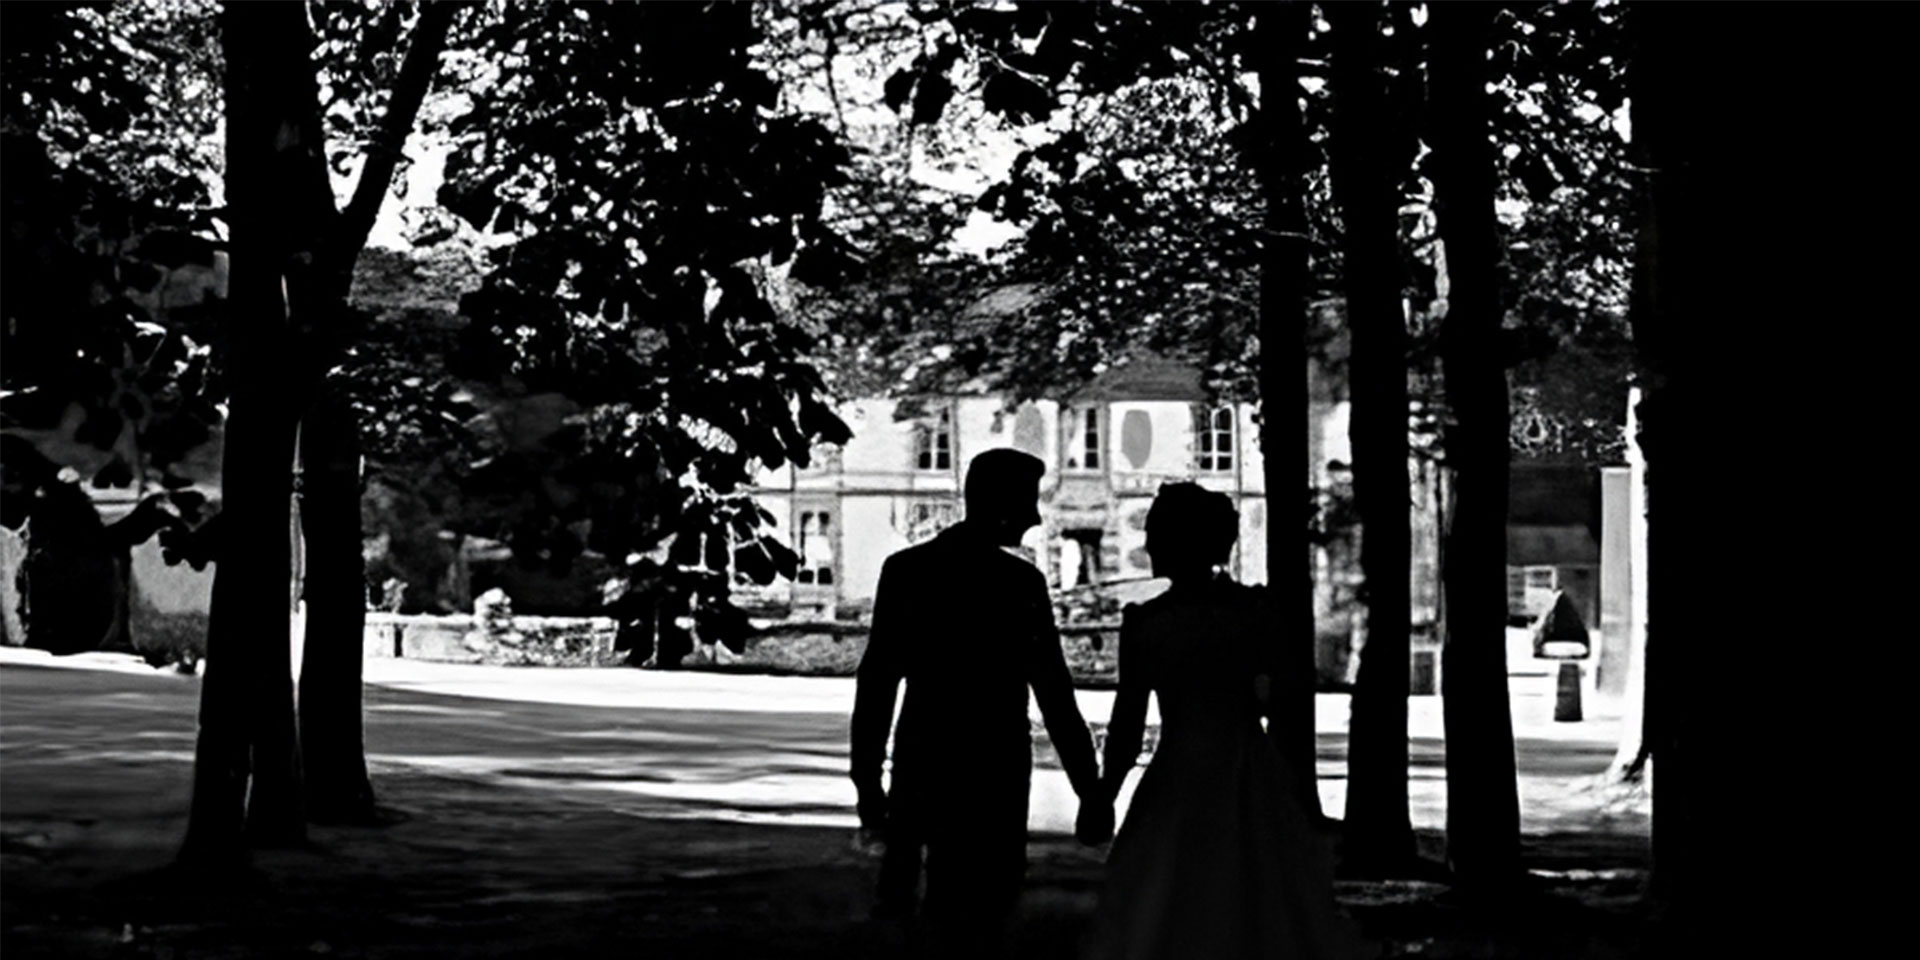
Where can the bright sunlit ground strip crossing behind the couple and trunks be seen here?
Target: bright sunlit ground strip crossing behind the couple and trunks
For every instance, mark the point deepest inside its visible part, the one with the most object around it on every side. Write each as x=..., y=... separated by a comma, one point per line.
x=679, y=744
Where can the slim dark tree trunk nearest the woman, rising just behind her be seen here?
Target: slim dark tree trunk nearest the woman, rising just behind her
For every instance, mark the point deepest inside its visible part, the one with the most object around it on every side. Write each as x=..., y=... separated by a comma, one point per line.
x=1284, y=370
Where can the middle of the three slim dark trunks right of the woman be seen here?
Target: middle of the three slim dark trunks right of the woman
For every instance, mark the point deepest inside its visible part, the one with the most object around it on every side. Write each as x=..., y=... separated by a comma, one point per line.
x=1366, y=189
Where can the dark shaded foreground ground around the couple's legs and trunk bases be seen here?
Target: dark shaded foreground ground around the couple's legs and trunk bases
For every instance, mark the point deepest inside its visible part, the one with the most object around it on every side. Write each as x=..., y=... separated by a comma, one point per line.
x=489, y=875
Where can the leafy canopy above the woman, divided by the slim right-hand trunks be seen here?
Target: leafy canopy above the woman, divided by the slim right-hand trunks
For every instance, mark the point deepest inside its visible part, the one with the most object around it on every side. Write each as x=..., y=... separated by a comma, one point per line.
x=1140, y=226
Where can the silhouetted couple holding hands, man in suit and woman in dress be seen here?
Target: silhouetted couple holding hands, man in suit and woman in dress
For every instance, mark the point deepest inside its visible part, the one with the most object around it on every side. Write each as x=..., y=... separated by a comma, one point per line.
x=1216, y=859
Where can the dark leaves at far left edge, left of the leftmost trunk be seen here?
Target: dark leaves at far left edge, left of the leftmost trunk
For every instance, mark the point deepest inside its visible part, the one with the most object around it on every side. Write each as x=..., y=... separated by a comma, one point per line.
x=112, y=335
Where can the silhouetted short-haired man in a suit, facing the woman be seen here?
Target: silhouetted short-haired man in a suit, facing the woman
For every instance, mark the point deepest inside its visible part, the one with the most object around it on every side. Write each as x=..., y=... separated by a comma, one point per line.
x=971, y=629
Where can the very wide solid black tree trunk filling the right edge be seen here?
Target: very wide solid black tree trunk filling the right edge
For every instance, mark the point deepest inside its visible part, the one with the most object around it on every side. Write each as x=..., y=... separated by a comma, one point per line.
x=1762, y=322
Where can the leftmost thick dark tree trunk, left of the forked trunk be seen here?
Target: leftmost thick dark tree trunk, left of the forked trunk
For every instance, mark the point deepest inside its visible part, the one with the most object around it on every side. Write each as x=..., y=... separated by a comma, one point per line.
x=247, y=761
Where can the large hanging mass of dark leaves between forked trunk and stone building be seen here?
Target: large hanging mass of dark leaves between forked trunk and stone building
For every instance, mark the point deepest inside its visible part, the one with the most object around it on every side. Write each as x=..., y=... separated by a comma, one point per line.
x=650, y=193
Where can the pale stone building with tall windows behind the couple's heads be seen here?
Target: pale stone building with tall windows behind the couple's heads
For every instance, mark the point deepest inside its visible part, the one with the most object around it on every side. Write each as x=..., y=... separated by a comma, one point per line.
x=1109, y=448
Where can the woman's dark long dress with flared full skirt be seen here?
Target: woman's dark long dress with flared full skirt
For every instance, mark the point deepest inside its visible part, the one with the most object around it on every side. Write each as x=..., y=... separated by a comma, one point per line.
x=1216, y=857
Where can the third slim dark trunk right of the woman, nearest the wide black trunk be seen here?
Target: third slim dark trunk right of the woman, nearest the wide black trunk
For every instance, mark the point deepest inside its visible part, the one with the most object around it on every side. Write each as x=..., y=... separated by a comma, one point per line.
x=1483, y=809
